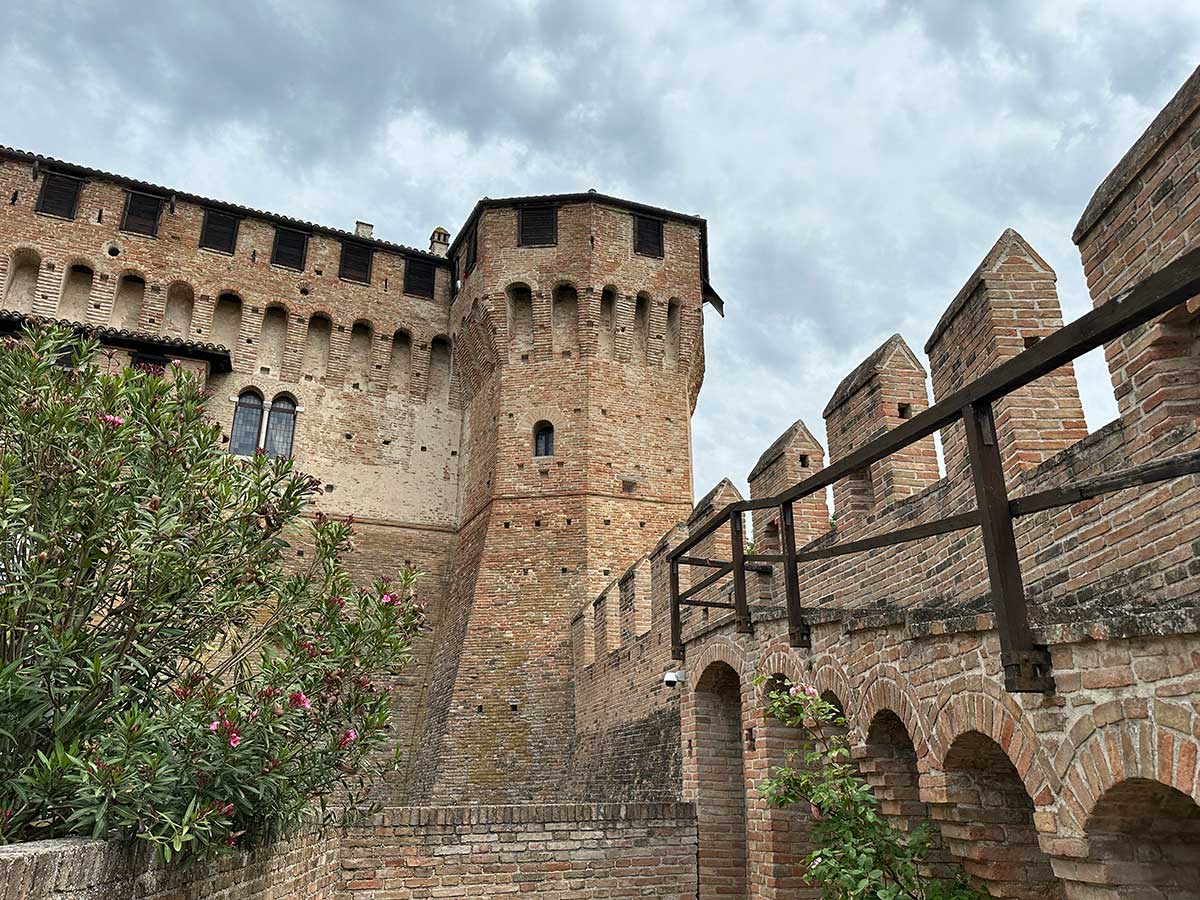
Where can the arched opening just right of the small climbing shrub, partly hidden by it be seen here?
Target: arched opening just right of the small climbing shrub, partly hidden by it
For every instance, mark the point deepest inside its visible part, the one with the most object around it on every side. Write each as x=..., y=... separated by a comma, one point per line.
x=891, y=770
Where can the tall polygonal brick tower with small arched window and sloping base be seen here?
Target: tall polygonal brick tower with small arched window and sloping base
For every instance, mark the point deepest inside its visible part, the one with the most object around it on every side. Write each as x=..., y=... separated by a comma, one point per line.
x=579, y=332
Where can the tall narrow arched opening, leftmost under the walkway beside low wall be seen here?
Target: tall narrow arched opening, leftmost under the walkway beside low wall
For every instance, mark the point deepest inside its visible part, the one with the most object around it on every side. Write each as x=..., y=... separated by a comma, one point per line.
x=722, y=790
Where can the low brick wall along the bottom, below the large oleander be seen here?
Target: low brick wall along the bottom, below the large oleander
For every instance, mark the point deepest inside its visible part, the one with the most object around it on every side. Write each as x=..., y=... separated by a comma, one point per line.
x=407, y=854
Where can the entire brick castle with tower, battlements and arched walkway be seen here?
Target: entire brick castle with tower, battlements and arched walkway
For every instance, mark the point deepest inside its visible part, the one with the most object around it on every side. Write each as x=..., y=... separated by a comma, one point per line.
x=509, y=412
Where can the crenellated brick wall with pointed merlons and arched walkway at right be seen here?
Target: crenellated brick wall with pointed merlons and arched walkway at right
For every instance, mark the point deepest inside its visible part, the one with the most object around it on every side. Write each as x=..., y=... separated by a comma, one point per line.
x=1090, y=791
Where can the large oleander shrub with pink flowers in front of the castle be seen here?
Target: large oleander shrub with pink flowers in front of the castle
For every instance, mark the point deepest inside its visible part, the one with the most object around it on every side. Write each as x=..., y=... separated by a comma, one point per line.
x=171, y=669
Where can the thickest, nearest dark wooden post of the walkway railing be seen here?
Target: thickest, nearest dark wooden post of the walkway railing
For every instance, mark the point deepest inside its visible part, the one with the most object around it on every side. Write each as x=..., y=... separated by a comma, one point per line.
x=1027, y=668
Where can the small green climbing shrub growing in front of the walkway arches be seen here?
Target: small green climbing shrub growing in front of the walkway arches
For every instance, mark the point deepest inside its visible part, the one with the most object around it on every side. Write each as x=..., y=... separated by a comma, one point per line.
x=860, y=854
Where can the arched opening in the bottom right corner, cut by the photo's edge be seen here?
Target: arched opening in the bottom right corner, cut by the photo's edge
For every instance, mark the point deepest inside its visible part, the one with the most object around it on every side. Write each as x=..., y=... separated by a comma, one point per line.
x=1143, y=842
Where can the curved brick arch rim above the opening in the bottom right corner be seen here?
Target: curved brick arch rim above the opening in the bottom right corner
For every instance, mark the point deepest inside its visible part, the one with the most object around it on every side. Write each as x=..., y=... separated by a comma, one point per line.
x=1130, y=748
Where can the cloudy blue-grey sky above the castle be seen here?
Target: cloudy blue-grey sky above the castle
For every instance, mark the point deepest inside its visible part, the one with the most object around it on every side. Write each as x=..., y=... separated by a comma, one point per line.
x=855, y=160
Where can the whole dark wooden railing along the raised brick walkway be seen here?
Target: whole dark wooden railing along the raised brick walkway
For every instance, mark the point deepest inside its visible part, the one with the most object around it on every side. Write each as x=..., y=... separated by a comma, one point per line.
x=1027, y=665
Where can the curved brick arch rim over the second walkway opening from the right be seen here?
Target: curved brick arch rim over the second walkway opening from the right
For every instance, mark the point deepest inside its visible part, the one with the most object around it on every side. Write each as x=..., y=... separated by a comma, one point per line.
x=977, y=705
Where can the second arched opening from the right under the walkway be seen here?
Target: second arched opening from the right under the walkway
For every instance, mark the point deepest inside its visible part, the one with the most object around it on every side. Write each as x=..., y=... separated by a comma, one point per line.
x=988, y=825
